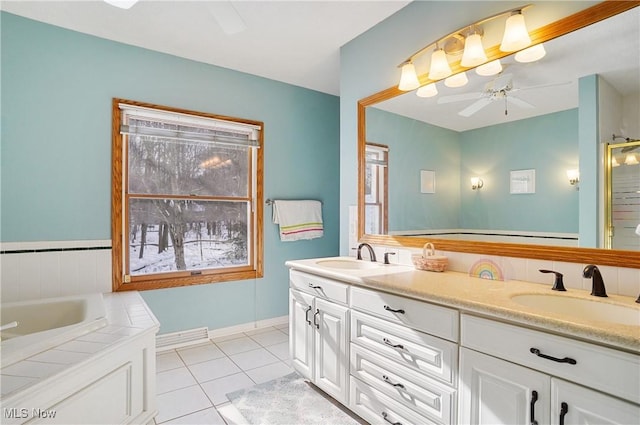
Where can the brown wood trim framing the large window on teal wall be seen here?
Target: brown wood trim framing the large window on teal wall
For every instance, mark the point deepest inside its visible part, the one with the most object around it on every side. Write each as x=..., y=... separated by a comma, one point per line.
x=117, y=218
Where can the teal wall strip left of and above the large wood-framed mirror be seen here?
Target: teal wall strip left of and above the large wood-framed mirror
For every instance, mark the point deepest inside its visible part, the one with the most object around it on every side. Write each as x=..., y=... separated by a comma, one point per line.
x=368, y=64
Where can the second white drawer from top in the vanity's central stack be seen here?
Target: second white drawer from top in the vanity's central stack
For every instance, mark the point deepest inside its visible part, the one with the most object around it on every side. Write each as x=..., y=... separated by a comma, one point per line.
x=419, y=352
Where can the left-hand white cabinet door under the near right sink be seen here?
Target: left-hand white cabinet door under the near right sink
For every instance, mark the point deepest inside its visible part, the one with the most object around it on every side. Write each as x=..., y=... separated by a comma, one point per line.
x=493, y=391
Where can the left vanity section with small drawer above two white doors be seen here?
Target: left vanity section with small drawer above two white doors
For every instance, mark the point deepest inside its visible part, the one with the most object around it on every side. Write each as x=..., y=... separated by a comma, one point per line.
x=318, y=332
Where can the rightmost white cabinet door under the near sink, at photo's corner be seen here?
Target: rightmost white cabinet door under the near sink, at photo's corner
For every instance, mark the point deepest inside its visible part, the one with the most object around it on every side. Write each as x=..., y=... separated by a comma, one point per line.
x=573, y=404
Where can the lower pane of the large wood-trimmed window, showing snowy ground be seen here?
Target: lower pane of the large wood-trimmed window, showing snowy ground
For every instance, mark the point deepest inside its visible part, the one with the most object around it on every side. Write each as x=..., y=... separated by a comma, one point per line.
x=168, y=235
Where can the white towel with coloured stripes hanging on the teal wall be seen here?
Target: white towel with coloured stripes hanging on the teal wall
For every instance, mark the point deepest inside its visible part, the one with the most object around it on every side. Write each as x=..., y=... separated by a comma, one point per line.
x=298, y=219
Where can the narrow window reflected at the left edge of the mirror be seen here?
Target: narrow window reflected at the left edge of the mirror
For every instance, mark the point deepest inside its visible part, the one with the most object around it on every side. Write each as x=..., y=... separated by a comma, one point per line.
x=376, y=193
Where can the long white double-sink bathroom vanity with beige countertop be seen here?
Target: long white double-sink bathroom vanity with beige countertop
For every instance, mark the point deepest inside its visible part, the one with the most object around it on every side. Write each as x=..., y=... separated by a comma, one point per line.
x=402, y=346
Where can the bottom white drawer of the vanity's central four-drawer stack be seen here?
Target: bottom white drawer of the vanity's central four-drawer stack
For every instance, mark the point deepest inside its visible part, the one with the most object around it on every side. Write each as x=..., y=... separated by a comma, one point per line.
x=377, y=408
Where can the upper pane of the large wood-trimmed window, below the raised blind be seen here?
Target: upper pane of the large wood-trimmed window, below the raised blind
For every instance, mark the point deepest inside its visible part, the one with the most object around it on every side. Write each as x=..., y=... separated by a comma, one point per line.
x=177, y=167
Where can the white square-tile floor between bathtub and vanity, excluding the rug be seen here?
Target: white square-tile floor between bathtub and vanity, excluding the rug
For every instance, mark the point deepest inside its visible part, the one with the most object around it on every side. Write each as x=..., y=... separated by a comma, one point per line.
x=192, y=382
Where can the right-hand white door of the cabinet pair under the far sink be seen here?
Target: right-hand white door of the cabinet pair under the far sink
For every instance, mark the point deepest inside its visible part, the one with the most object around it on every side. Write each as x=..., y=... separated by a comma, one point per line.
x=331, y=340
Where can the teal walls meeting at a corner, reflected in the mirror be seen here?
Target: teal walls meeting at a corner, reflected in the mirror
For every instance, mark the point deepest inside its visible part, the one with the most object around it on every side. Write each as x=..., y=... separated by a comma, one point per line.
x=548, y=144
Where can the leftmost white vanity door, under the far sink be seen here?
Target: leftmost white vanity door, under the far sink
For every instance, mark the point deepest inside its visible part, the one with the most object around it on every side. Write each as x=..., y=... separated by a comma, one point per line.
x=301, y=332
